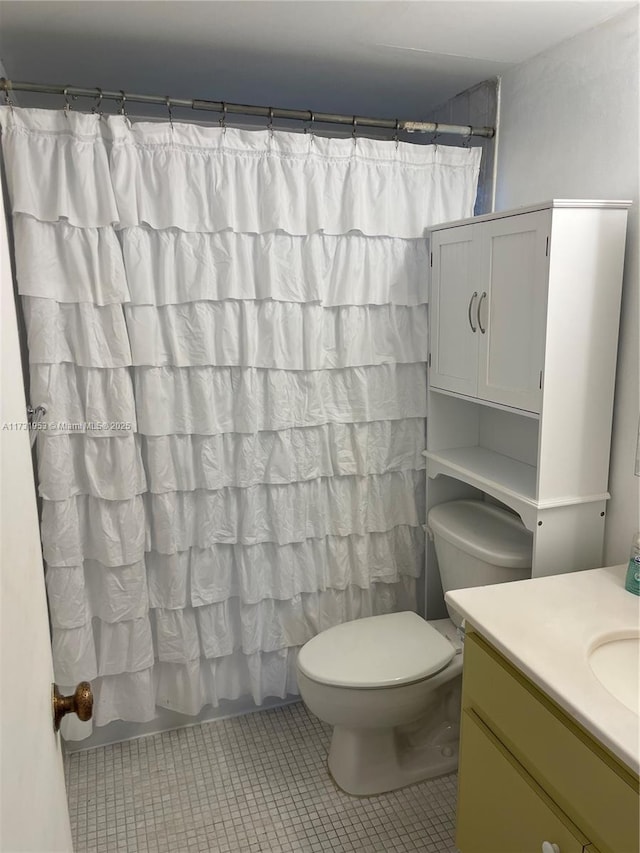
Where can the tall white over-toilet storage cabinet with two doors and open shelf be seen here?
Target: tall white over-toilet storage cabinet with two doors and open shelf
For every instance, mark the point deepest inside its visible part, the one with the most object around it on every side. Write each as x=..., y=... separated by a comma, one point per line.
x=524, y=313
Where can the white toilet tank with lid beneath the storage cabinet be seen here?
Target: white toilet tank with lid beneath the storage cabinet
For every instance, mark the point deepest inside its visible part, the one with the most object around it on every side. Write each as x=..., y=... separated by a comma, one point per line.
x=478, y=544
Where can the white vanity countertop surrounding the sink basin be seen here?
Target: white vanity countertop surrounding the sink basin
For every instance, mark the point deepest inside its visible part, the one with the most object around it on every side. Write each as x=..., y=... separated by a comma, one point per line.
x=547, y=626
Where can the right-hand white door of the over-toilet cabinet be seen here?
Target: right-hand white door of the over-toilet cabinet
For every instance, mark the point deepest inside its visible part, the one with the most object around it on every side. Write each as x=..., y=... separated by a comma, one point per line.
x=512, y=309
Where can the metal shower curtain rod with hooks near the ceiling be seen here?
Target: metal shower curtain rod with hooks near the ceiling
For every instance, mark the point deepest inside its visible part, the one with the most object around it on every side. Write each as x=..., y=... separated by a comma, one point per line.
x=98, y=95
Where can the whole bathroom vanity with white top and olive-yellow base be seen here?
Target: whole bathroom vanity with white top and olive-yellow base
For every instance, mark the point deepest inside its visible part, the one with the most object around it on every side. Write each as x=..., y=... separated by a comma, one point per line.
x=549, y=755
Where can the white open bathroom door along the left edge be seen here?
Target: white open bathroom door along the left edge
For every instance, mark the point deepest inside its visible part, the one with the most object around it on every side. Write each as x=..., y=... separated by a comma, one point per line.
x=34, y=813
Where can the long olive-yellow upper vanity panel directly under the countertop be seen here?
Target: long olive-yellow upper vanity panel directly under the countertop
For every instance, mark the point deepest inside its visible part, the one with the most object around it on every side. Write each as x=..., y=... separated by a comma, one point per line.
x=585, y=781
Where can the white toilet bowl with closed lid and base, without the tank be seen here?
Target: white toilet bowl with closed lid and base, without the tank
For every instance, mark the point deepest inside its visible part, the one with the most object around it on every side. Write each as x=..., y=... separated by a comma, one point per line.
x=373, y=678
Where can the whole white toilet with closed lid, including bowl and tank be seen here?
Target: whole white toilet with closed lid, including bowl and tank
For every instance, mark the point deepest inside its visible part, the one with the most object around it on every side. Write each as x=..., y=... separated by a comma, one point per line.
x=390, y=685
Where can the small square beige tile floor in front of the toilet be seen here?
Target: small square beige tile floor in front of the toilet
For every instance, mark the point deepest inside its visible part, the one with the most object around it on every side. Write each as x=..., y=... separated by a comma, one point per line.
x=252, y=783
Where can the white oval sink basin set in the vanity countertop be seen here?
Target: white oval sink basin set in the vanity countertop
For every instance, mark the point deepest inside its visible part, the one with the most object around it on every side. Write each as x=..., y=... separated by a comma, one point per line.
x=615, y=662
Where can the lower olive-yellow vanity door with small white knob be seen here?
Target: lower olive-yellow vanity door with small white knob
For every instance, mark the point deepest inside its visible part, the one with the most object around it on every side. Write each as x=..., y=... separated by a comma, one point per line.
x=501, y=809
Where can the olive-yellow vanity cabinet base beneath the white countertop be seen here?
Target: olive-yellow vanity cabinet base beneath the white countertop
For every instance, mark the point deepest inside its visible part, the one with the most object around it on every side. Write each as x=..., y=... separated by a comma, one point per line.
x=530, y=777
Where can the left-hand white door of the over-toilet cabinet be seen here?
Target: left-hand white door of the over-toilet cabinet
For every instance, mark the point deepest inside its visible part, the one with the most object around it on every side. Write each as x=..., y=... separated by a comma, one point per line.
x=452, y=305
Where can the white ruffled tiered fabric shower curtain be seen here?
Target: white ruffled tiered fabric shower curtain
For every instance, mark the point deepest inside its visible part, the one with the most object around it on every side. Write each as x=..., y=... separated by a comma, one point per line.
x=228, y=330
